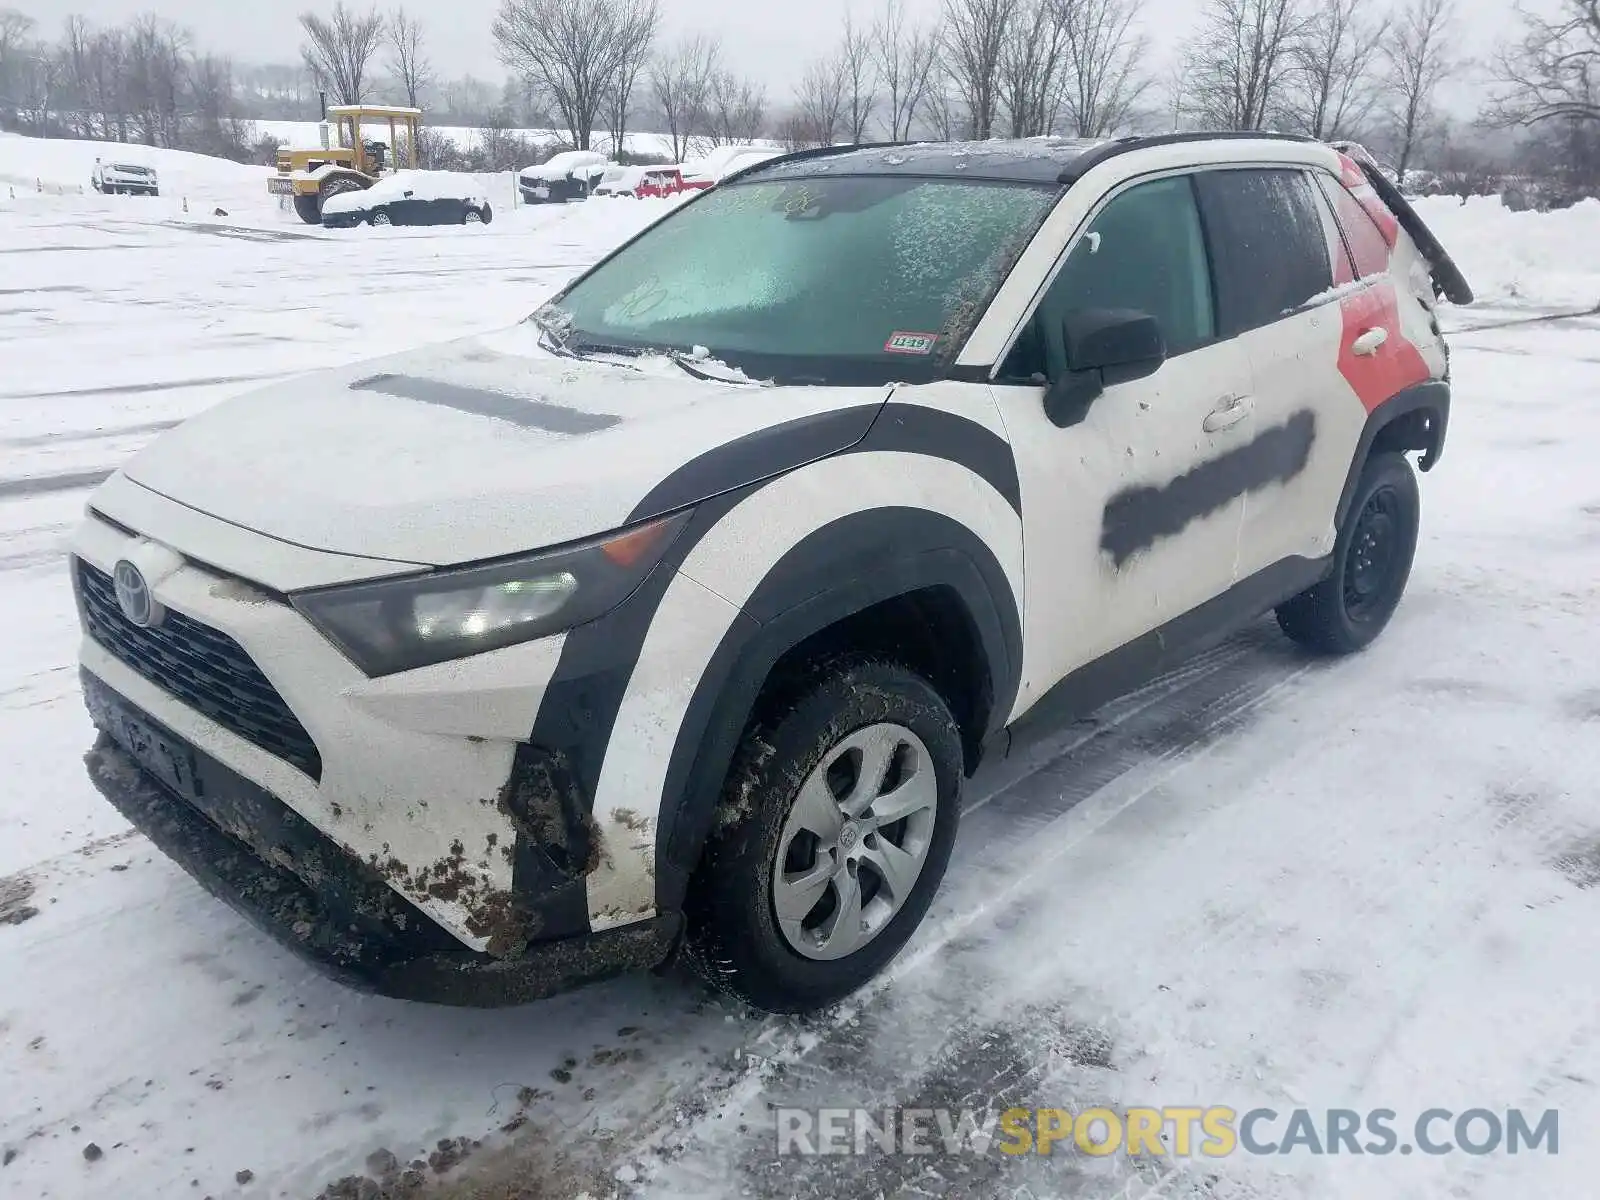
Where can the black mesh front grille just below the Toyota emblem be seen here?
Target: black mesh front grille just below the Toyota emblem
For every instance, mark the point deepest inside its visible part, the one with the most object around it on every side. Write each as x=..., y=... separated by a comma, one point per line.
x=204, y=668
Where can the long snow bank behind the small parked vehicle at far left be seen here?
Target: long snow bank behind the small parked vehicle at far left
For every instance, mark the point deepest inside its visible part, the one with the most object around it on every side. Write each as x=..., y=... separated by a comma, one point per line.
x=62, y=167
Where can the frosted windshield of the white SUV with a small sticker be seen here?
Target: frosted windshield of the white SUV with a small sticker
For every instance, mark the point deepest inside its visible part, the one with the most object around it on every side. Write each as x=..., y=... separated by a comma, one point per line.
x=841, y=281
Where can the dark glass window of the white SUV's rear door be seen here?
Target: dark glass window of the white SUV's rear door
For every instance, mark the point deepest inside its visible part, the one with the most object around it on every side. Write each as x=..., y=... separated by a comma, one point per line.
x=1268, y=241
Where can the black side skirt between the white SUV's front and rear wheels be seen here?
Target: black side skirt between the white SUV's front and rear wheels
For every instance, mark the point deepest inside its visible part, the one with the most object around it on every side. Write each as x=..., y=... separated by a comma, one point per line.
x=1132, y=666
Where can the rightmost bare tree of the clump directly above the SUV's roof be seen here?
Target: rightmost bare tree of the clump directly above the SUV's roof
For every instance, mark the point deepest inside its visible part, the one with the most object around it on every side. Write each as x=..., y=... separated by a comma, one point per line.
x=1105, y=70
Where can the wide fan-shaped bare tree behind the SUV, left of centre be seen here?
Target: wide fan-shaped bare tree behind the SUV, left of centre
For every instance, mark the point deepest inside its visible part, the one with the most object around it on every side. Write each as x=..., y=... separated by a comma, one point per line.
x=570, y=52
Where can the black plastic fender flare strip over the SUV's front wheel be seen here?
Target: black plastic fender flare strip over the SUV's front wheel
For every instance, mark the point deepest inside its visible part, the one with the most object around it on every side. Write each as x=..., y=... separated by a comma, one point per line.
x=839, y=570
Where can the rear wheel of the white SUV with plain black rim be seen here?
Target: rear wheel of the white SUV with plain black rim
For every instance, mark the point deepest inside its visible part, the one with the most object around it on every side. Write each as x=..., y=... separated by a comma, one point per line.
x=1372, y=564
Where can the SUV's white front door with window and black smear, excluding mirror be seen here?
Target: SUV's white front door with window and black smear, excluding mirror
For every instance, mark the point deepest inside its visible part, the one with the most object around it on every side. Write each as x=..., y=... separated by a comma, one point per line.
x=1132, y=516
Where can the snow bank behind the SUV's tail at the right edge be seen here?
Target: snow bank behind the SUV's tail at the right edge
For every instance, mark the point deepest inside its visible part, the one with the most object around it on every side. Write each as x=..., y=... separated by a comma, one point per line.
x=1524, y=258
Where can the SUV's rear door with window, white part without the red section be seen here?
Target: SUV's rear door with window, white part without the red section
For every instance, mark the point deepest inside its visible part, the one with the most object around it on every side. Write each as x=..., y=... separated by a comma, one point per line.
x=1279, y=263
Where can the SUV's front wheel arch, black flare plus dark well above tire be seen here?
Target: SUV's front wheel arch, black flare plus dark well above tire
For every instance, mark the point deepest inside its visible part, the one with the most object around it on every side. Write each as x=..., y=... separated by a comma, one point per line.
x=910, y=585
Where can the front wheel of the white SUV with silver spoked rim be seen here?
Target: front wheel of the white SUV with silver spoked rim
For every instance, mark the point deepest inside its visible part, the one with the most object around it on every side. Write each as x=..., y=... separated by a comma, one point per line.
x=820, y=737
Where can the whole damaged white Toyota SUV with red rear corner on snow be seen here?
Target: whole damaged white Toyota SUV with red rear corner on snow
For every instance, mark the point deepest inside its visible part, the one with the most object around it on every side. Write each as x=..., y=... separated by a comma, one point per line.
x=676, y=615
